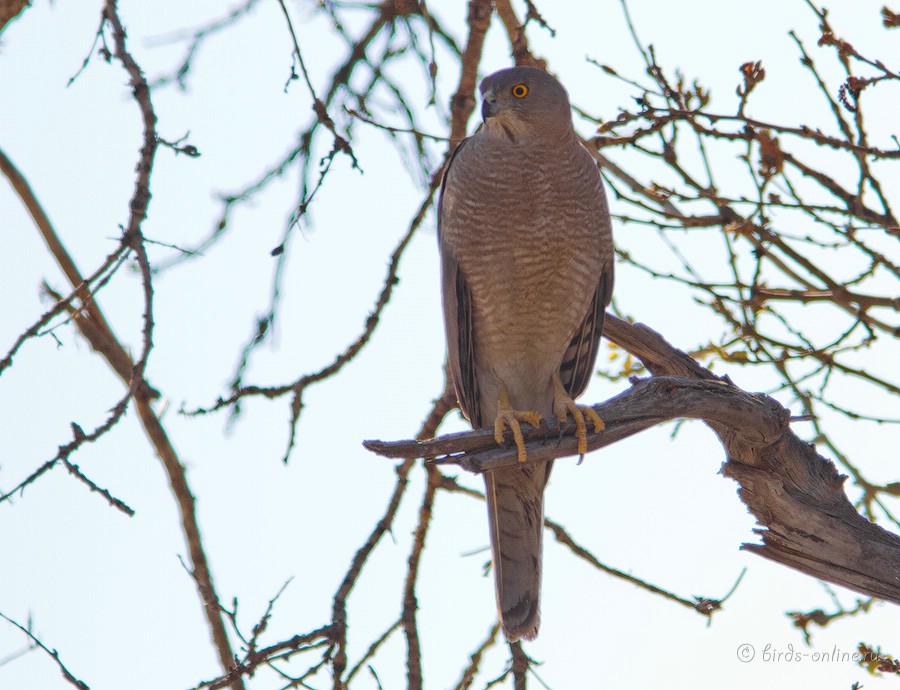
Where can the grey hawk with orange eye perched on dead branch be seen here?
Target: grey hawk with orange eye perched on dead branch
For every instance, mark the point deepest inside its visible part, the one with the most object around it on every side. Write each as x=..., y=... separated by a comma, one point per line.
x=527, y=272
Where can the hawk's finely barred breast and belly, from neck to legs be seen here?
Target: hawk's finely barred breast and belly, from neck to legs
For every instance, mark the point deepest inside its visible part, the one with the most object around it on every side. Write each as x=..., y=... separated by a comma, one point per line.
x=529, y=239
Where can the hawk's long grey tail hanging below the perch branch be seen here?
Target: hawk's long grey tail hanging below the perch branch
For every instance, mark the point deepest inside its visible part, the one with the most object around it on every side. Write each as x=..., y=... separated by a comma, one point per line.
x=515, y=501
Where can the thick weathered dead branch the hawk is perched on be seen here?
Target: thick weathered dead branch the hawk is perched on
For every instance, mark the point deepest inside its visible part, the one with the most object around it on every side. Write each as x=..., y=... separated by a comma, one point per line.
x=796, y=495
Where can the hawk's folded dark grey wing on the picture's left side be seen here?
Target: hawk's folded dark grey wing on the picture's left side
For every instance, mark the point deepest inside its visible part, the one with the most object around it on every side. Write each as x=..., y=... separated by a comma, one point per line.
x=458, y=319
